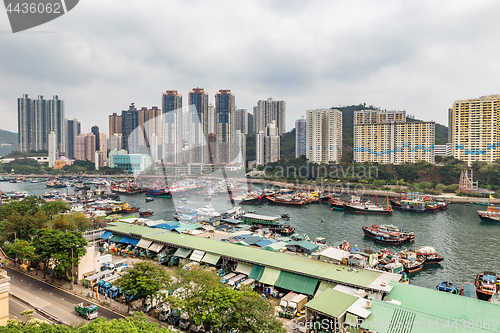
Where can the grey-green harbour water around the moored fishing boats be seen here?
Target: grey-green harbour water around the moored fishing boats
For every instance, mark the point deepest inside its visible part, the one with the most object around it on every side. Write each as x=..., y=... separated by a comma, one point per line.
x=469, y=246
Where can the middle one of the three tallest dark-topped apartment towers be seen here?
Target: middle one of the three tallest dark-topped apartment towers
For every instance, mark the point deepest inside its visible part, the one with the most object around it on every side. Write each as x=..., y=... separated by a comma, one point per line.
x=198, y=125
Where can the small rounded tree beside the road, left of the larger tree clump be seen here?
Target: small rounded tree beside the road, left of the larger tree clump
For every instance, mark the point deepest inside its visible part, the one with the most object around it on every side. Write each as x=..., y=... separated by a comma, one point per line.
x=145, y=279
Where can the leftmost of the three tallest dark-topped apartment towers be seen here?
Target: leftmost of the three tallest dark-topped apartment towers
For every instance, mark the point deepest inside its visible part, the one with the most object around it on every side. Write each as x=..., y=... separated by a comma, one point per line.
x=172, y=127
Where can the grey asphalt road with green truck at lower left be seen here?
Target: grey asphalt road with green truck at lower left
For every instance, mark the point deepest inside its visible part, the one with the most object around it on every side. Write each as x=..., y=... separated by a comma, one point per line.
x=55, y=301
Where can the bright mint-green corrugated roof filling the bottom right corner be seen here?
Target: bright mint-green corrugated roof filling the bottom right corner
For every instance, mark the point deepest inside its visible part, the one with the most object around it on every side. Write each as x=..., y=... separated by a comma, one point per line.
x=431, y=301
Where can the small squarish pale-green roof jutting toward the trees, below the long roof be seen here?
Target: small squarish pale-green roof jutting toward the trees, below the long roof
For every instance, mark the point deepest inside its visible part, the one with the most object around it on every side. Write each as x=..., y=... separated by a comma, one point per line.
x=332, y=302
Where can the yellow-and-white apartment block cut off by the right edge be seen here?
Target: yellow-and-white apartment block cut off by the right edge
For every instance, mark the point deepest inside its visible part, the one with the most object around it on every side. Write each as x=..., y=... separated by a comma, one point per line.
x=473, y=129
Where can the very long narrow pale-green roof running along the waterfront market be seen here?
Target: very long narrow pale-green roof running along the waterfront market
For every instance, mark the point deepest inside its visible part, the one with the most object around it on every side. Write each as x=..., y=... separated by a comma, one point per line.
x=297, y=264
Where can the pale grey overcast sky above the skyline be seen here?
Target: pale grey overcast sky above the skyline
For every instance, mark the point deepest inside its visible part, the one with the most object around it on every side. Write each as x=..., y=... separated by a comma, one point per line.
x=101, y=56
